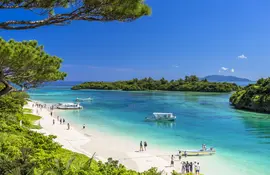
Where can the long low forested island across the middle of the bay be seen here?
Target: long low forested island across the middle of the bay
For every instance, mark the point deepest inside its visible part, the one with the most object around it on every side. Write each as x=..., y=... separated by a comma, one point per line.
x=190, y=83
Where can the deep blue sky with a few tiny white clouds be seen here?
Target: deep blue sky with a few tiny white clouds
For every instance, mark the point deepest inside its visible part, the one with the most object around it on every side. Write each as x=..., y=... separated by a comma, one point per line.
x=181, y=37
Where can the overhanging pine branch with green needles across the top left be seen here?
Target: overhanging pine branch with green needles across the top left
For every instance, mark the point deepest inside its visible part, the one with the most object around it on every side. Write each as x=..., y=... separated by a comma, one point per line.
x=62, y=12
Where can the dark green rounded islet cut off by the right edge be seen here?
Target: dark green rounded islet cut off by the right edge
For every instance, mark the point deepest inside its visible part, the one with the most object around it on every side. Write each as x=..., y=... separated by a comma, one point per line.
x=254, y=97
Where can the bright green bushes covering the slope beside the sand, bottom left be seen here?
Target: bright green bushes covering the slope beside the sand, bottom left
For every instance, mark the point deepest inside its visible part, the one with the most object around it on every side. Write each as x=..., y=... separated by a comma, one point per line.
x=25, y=152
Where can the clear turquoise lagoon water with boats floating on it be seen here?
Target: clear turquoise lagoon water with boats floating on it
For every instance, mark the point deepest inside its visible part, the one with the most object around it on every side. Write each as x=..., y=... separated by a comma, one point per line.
x=242, y=139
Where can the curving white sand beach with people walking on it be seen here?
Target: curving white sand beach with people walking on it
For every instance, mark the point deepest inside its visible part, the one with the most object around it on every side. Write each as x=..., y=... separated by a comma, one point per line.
x=89, y=141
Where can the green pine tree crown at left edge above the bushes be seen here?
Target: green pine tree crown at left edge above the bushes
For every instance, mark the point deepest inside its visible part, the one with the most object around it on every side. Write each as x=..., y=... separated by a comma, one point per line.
x=27, y=65
